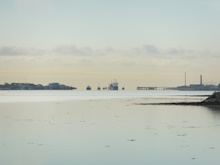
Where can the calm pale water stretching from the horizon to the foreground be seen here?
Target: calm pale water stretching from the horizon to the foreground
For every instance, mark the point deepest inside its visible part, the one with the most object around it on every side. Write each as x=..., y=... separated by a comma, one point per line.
x=106, y=127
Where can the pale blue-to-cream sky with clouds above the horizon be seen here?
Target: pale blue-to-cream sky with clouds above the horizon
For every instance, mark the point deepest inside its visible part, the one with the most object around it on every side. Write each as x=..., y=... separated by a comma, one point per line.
x=94, y=42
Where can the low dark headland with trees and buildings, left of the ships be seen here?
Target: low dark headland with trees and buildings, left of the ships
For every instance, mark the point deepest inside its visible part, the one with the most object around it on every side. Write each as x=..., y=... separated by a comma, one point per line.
x=31, y=86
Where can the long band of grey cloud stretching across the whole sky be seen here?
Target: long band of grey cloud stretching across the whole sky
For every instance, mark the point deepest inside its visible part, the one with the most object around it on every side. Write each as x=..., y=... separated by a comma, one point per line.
x=144, y=51
